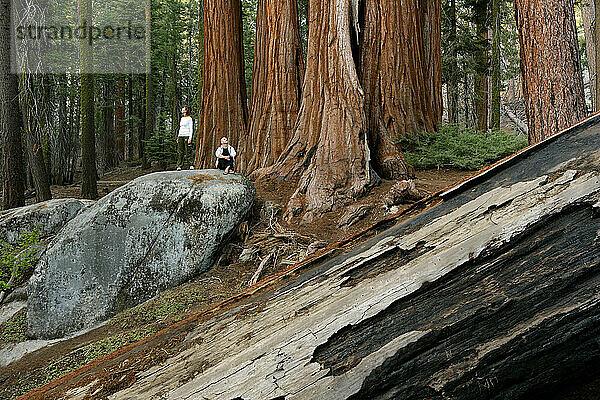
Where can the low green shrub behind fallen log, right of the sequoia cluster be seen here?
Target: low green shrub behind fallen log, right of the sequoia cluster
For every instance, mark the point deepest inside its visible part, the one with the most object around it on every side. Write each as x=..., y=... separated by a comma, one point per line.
x=458, y=147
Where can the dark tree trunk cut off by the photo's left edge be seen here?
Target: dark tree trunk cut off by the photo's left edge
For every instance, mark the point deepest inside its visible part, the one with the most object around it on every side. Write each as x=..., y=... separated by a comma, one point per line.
x=11, y=122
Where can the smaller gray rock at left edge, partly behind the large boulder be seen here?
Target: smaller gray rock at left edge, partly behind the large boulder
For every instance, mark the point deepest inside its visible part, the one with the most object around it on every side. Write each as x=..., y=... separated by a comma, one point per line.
x=49, y=216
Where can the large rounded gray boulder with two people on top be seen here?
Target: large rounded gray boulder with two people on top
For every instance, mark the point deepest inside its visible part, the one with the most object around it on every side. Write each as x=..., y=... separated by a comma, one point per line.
x=147, y=236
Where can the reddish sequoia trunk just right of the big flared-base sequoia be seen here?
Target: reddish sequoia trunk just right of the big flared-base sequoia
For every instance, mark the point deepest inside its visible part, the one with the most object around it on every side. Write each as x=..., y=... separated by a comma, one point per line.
x=398, y=101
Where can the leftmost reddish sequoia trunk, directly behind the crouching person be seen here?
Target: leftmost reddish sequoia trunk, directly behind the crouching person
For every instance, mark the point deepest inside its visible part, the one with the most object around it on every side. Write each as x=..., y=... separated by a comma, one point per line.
x=224, y=109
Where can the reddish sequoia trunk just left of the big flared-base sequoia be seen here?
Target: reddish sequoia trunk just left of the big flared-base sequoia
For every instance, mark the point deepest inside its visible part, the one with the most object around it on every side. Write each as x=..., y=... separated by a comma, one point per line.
x=276, y=82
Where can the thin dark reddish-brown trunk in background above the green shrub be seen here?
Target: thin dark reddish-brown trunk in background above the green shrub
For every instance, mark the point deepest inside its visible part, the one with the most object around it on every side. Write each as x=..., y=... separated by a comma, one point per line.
x=480, y=13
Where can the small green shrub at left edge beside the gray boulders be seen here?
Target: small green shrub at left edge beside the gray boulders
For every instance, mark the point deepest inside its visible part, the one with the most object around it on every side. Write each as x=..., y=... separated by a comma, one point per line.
x=18, y=260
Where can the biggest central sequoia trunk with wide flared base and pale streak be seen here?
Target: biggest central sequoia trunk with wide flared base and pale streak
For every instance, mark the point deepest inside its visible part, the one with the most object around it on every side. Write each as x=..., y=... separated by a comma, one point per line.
x=328, y=151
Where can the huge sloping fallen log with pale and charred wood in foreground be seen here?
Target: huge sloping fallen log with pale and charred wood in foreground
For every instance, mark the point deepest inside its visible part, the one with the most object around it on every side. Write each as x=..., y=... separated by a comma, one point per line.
x=490, y=294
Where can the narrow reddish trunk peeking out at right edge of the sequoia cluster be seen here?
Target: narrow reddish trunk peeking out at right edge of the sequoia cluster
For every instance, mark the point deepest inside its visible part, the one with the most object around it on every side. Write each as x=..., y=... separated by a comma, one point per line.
x=431, y=16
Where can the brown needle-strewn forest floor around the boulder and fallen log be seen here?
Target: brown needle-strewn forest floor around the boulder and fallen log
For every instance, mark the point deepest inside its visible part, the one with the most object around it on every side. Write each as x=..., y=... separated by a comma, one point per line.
x=263, y=237
